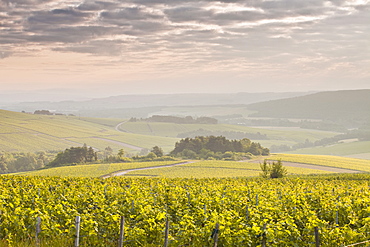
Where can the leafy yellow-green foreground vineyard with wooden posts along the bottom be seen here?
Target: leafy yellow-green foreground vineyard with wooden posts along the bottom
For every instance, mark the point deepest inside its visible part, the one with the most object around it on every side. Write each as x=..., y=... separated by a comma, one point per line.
x=282, y=212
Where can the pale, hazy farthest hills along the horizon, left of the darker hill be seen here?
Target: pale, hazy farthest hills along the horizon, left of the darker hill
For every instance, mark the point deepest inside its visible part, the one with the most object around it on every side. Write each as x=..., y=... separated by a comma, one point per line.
x=143, y=105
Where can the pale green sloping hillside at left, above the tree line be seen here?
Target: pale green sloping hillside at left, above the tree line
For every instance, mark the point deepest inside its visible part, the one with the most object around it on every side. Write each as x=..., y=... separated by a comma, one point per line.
x=21, y=132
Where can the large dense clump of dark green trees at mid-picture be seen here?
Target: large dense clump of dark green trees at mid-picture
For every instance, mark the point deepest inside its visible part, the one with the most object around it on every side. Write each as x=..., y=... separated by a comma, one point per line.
x=216, y=147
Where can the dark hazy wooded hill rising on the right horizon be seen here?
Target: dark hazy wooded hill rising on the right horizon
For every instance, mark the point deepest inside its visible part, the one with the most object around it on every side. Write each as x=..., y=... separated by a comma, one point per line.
x=351, y=108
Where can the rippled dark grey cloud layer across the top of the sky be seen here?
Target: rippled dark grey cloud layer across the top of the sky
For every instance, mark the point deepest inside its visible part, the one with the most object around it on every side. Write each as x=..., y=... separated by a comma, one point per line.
x=219, y=27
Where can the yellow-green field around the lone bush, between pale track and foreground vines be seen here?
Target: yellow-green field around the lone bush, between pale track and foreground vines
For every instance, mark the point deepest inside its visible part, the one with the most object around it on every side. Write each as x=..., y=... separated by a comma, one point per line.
x=216, y=169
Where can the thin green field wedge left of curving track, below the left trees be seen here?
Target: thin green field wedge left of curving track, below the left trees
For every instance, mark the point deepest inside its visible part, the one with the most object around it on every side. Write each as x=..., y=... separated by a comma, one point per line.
x=94, y=170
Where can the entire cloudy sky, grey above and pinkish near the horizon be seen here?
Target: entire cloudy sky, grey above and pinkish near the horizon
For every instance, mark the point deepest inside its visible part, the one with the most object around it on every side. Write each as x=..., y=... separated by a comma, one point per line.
x=169, y=46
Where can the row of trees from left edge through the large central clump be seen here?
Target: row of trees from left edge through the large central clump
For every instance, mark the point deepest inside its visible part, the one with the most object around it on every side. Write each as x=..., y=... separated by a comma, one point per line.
x=200, y=147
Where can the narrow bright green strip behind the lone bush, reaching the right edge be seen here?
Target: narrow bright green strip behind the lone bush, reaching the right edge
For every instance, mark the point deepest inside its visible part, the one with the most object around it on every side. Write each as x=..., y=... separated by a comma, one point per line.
x=326, y=160
